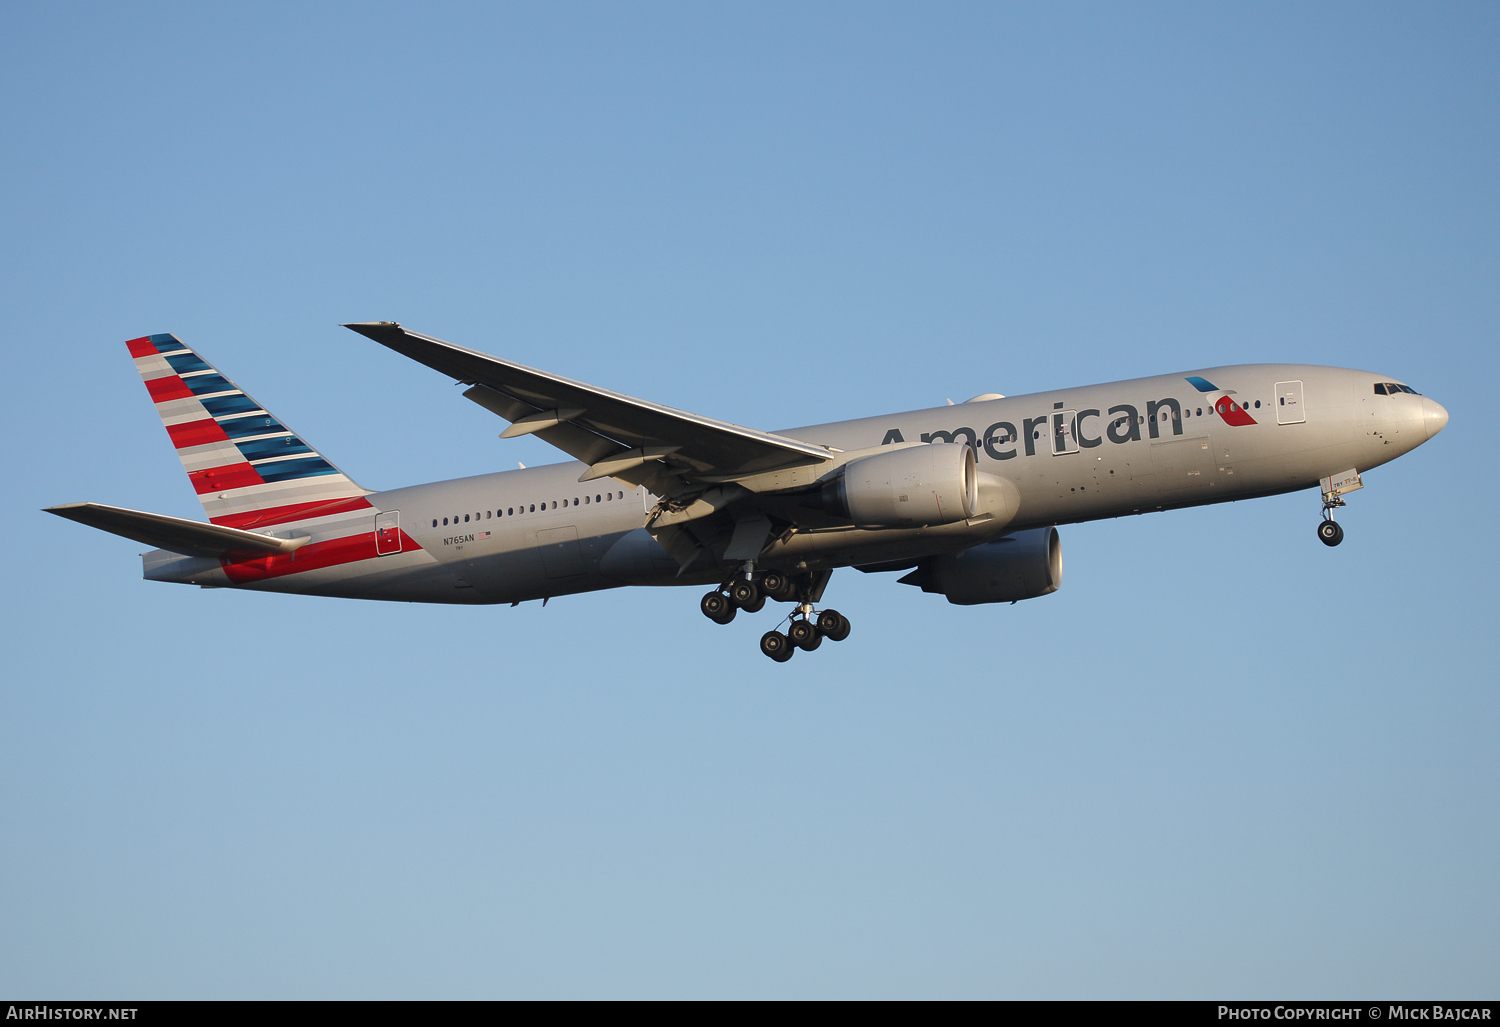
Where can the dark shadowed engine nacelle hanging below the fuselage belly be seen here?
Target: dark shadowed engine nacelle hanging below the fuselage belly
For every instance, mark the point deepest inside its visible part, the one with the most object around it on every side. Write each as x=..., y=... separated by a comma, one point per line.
x=1019, y=567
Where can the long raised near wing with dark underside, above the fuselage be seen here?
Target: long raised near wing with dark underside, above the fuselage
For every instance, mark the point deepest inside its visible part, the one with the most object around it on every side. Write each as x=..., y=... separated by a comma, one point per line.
x=617, y=436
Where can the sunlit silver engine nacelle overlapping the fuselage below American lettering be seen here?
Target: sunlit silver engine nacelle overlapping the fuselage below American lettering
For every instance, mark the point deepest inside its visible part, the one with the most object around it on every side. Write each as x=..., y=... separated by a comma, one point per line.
x=925, y=485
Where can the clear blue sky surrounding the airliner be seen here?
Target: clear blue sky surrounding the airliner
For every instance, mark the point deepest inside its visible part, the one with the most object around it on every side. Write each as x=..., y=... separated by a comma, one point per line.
x=1222, y=762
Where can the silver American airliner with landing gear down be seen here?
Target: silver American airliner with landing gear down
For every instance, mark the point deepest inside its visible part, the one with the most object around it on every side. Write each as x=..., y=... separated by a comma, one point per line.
x=967, y=499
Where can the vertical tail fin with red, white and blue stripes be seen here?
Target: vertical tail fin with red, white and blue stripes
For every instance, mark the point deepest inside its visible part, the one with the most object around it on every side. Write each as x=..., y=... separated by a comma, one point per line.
x=247, y=467
